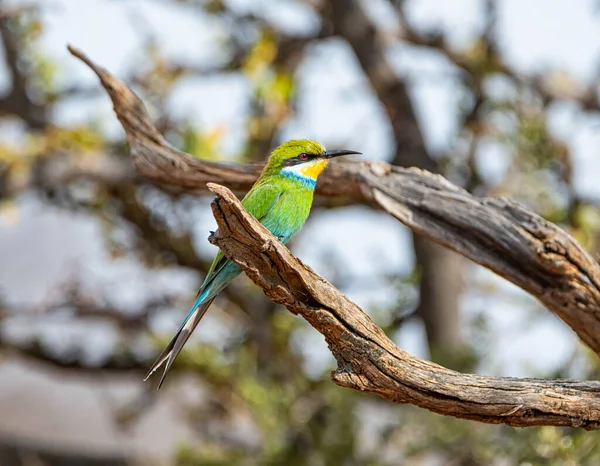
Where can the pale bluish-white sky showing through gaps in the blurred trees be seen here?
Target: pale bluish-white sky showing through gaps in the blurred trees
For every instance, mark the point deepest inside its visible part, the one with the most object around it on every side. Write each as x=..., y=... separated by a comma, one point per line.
x=537, y=35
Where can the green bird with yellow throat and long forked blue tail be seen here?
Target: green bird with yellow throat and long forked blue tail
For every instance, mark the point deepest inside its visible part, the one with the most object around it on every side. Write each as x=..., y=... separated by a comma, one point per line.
x=280, y=200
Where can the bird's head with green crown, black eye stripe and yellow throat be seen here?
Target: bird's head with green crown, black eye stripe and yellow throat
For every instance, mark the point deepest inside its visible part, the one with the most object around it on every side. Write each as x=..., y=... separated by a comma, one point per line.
x=302, y=158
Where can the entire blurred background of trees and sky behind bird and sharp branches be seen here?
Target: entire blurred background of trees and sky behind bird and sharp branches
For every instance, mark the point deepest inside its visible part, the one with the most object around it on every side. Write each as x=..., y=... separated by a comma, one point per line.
x=98, y=268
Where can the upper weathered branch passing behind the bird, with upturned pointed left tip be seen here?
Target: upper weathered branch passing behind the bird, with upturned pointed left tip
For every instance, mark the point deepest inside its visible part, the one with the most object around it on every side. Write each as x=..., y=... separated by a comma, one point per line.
x=506, y=238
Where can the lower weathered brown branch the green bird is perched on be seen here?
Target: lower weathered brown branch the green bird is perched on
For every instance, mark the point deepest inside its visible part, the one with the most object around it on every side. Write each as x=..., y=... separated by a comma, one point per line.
x=367, y=358
